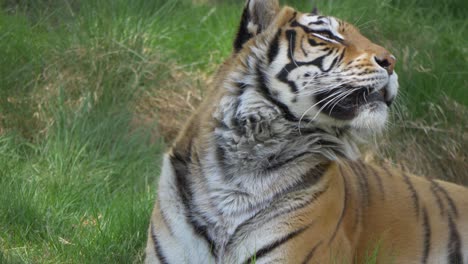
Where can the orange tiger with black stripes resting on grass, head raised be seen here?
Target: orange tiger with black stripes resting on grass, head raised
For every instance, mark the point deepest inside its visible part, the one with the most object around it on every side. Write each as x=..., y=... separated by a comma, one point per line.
x=269, y=170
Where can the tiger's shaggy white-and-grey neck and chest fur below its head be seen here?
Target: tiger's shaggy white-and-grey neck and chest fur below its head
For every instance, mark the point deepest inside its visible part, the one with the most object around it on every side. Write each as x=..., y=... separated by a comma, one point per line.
x=246, y=154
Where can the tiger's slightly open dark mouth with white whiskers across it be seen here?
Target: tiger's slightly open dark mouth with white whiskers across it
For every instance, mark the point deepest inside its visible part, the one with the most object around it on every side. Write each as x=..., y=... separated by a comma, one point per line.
x=348, y=104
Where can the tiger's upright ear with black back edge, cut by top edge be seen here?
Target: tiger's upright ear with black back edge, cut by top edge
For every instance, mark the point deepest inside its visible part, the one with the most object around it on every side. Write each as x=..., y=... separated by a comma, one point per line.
x=256, y=17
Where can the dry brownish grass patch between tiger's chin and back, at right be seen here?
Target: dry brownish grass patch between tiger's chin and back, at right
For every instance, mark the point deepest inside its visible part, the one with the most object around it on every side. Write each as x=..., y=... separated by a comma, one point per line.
x=436, y=146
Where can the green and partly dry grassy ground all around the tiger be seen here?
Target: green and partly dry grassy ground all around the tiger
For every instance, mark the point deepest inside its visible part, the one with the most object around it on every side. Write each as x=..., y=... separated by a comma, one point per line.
x=84, y=84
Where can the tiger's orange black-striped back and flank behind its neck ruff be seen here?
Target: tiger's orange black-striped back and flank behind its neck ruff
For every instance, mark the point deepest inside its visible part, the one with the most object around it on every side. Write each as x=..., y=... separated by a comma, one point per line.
x=367, y=214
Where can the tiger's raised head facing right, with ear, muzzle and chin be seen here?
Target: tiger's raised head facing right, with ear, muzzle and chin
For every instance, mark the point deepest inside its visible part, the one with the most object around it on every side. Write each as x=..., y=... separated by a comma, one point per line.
x=317, y=69
